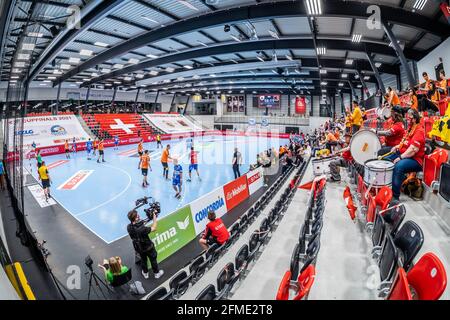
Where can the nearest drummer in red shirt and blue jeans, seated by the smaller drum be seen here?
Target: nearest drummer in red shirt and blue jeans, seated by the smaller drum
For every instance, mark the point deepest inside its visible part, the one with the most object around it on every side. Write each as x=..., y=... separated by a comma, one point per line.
x=409, y=154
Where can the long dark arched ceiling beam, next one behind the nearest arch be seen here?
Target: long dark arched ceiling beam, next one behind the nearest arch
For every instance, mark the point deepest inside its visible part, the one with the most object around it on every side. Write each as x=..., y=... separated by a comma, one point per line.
x=239, y=47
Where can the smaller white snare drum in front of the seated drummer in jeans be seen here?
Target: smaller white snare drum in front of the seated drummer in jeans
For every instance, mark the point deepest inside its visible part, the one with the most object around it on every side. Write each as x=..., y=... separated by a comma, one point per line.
x=378, y=173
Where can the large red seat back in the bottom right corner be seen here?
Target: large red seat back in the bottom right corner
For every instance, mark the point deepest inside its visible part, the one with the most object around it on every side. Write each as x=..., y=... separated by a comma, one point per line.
x=428, y=278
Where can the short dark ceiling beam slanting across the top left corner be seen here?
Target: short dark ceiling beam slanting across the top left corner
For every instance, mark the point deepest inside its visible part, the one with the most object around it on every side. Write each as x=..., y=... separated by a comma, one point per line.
x=91, y=14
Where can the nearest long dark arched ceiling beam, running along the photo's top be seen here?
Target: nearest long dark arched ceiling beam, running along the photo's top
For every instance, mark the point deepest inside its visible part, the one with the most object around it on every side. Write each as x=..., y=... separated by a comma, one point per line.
x=332, y=8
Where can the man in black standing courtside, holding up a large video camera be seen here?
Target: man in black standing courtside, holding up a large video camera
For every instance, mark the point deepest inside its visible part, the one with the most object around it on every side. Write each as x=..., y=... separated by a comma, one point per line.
x=144, y=246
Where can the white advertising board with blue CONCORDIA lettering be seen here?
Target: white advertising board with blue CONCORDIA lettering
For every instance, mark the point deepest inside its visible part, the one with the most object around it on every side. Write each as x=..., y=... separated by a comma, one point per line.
x=214, y=200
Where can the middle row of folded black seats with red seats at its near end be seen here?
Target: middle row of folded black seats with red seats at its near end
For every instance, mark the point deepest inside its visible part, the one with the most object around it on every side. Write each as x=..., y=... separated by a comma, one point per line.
x=298, y=280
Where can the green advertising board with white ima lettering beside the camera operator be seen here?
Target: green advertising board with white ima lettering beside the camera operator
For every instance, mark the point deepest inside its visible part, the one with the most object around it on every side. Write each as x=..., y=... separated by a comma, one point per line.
x=174, y=232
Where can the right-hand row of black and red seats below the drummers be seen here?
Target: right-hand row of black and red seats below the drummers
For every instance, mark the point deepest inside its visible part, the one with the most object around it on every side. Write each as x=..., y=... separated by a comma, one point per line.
x=394, y=248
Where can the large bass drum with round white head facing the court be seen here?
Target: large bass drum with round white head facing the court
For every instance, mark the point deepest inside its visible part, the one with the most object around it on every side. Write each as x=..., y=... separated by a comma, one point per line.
x=364, y=146
